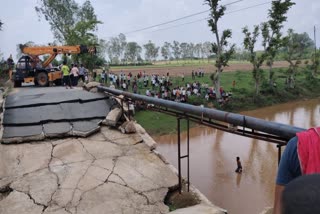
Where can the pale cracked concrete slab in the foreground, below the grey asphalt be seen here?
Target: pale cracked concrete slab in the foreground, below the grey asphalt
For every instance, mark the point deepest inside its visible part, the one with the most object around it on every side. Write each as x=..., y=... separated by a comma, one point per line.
x=77, y=175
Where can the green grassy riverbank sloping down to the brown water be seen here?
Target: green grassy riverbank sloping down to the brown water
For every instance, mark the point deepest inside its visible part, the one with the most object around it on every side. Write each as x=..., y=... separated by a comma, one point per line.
x=243, y=97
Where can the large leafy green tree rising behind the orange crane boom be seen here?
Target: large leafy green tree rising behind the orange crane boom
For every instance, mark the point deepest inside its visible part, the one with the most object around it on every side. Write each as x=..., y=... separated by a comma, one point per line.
x=72, y=24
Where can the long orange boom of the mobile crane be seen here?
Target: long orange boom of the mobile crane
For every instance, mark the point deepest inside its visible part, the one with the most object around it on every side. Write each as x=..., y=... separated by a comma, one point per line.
x=53, y=51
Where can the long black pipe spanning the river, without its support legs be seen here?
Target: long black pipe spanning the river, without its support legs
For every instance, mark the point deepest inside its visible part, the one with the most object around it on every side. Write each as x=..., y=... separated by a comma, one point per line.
x=277, y=129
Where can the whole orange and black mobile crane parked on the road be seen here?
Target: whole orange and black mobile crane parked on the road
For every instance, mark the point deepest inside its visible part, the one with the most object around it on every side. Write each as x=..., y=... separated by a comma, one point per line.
x=30, y=69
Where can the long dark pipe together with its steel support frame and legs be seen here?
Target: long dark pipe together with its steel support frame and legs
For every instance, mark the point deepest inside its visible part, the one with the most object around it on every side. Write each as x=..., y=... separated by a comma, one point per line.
x=247, y=126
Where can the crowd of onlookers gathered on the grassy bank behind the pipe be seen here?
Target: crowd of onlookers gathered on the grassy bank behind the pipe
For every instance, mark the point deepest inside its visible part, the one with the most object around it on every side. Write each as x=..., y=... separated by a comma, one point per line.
x=161, y=86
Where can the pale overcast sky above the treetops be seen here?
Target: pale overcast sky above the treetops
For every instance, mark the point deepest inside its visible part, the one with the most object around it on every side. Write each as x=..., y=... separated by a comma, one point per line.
x=21, y=23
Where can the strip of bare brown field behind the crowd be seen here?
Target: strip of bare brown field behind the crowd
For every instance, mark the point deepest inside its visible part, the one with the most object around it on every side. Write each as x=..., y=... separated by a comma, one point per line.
x=186, y=70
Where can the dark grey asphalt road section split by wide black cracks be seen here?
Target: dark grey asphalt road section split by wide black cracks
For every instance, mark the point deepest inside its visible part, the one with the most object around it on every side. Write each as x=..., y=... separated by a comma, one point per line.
x=39, y=113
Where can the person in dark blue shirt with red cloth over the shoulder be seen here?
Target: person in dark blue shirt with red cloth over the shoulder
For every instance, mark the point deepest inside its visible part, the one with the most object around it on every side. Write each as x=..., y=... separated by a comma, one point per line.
x=301, y=157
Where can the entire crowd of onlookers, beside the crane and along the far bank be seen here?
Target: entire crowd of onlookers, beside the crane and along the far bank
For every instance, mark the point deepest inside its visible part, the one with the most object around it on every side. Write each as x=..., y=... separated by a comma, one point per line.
x=155, y=85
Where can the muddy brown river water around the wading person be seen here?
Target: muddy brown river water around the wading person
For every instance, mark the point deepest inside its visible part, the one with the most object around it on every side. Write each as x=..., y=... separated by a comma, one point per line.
x=213, y=158
